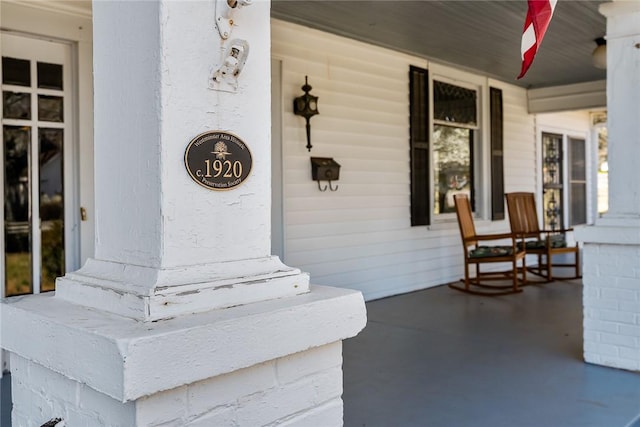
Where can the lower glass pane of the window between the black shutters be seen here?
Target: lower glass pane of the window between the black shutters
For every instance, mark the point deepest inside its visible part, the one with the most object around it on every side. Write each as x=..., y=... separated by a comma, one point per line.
x=452, y=165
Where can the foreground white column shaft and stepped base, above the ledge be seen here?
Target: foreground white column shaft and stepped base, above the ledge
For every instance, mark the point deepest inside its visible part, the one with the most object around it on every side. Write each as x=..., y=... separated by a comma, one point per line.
x=165, y=245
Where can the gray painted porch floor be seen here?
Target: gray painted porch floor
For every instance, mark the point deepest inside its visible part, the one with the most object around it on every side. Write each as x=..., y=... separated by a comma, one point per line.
x=440, y=357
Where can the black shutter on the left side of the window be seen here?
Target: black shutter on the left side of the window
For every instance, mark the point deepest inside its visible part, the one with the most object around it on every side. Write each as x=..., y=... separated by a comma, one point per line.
x=419, y=143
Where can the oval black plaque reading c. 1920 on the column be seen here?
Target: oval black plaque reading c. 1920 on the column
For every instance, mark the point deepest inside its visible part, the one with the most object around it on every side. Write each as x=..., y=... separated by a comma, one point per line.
x=218, y=160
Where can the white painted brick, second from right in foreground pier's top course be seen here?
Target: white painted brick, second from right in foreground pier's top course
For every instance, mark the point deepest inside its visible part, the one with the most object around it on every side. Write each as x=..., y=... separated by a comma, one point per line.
x=204, y=396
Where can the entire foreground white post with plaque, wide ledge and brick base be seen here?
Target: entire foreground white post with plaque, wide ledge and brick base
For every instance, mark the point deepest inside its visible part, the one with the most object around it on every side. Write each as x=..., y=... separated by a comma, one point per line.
x=182, y=317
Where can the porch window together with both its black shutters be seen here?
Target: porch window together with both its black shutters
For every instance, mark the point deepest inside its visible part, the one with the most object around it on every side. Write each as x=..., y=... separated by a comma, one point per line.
x=445, y=143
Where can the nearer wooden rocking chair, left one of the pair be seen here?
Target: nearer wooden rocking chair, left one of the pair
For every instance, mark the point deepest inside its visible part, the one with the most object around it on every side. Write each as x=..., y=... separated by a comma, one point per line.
x=474, y=254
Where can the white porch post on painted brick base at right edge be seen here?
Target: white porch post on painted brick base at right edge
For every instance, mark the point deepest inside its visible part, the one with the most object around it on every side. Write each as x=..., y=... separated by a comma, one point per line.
x=612, y=246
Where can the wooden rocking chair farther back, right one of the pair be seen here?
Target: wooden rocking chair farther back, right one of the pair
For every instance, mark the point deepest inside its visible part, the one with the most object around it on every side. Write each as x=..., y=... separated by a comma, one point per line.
x=523, y=218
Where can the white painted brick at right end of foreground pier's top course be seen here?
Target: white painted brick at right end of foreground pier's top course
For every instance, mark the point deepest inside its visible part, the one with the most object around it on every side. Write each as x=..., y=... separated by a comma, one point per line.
x=299, y=365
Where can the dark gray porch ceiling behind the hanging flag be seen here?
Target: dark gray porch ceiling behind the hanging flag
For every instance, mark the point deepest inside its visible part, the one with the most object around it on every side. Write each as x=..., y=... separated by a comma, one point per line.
x=475, y=35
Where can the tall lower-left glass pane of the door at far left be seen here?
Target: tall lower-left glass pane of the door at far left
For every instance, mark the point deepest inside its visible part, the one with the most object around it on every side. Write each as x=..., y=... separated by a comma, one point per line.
x=17, y=230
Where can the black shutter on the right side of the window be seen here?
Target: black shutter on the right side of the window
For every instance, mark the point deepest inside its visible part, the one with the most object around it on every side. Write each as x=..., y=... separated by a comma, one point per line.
x=497, y=156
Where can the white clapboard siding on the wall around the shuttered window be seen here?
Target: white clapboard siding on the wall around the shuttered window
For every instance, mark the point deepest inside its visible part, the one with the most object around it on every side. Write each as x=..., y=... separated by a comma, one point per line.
x=360, y=236
